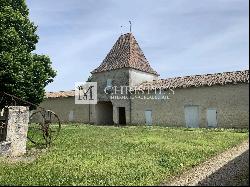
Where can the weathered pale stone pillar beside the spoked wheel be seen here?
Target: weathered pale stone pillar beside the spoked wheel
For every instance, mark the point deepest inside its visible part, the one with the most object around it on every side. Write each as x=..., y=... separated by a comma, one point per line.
x=17, y=129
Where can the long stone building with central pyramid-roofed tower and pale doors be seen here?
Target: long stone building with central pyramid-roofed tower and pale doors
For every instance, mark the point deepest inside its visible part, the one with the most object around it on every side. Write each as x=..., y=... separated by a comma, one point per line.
x=212, y=100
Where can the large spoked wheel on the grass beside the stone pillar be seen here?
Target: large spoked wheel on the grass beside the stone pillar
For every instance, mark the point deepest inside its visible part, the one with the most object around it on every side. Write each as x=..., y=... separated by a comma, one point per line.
x=44, y=127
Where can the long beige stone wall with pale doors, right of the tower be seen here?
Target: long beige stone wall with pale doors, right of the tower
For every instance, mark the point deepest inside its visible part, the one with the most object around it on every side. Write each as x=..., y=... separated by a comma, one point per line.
x=230, y=101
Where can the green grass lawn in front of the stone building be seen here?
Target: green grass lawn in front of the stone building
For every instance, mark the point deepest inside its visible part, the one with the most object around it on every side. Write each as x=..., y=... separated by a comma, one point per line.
x=94, y=155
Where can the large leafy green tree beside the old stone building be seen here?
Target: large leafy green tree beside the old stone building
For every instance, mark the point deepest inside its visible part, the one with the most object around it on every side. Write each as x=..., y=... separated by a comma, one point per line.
x=22, y=72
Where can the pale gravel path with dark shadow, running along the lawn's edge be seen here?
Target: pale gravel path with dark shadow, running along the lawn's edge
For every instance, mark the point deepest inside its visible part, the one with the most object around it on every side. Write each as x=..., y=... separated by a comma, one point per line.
x=219, y=170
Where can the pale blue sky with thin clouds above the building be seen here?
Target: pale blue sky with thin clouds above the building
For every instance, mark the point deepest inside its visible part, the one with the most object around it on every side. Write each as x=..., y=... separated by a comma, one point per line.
x=178, y=37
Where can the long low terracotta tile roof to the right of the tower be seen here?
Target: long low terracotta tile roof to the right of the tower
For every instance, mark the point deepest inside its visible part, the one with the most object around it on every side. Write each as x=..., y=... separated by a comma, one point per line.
x=224, y=78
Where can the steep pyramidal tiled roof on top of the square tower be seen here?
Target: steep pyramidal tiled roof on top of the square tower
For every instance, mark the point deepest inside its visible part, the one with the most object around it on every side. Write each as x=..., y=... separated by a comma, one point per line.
x=126, y=53
